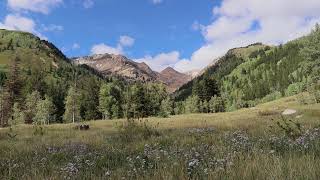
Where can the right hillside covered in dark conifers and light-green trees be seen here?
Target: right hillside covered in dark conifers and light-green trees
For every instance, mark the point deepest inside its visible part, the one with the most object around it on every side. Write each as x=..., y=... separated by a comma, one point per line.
x=257, y=73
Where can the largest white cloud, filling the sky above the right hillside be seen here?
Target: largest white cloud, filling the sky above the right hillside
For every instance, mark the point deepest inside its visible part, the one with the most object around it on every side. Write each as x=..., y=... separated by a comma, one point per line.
x=275, y=22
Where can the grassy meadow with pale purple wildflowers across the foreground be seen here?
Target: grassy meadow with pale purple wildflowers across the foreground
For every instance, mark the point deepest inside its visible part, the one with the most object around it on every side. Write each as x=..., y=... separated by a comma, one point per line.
x=254, y=143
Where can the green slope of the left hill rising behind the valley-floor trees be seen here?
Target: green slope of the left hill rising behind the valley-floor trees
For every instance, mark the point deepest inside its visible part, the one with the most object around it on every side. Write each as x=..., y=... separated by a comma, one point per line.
x=42, y=67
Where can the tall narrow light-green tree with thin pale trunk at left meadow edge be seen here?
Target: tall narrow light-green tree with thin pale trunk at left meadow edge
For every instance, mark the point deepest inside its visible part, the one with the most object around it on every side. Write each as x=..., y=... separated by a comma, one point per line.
x=72, y=108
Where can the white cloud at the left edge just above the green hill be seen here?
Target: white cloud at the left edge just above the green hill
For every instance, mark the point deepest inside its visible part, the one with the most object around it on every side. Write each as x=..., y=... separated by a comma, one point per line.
x=17, y=22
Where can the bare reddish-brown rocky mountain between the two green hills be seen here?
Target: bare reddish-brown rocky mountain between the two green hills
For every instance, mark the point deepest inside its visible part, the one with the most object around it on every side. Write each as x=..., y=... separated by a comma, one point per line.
x=121, y=66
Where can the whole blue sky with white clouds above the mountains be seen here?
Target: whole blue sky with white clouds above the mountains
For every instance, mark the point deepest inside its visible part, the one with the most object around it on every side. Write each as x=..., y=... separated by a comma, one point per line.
x=184, y=34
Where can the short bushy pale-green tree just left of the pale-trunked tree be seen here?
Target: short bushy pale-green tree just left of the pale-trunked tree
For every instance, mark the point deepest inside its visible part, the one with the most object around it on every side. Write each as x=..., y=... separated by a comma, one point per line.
x=44, y=110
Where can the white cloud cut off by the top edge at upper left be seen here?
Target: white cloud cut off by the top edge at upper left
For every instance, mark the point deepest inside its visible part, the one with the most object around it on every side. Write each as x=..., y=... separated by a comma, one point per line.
x=39, y=6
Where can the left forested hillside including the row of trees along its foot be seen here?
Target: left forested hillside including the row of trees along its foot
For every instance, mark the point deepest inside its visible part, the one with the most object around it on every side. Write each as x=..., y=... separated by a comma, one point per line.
x=40, y=85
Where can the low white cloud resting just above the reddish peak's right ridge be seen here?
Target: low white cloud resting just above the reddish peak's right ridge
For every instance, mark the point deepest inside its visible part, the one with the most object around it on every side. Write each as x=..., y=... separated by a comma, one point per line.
x=161, y=61
